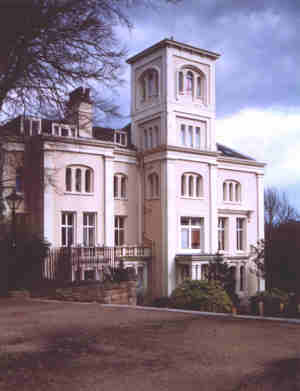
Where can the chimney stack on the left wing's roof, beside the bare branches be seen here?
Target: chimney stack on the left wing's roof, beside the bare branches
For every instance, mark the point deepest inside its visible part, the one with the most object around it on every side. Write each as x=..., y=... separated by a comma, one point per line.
x=79, y=111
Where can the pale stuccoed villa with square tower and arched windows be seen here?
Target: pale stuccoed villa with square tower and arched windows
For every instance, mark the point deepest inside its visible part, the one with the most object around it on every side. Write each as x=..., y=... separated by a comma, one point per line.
x=161, y=184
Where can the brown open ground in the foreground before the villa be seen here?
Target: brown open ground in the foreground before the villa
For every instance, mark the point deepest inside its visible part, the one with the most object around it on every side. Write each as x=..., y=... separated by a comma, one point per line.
x=59, y=346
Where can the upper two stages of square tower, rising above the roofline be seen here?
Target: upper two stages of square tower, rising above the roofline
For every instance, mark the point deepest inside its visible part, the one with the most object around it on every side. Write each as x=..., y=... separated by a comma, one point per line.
x=173, y=97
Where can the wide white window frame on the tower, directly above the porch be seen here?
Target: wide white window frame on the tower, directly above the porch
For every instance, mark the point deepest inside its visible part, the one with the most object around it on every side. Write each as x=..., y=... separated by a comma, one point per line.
x=190, y=228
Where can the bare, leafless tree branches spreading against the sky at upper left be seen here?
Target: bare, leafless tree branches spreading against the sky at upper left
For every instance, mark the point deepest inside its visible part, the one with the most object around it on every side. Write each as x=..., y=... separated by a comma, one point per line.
x=48, y=47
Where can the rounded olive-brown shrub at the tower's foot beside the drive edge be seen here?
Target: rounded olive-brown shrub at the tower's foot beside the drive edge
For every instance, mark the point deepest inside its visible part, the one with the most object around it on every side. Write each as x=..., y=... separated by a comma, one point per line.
x=202, y=296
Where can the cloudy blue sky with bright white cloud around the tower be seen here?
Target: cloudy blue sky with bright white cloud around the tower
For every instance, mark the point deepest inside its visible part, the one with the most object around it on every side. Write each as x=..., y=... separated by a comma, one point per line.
x=258, y=74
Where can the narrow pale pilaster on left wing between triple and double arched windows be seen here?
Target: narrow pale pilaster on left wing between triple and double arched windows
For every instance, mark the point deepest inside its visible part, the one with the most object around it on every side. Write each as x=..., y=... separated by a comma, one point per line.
x=108, y=202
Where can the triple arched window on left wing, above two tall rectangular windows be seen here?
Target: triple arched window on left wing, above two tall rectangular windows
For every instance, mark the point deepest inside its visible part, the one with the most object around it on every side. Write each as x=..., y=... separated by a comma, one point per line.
x=79, y=179
